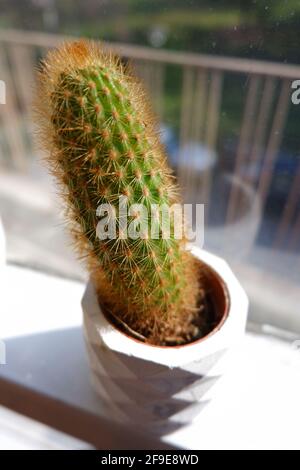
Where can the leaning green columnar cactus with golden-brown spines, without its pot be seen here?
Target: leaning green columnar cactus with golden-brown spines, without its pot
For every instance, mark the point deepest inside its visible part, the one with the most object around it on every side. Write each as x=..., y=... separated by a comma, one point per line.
x=102, y=142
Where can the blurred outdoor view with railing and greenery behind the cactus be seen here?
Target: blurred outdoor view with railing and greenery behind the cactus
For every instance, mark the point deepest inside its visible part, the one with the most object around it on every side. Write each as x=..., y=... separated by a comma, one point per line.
x=220, y=76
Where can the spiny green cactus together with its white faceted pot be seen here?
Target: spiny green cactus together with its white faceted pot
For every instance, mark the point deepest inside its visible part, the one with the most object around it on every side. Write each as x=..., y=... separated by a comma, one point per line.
x=157, y=316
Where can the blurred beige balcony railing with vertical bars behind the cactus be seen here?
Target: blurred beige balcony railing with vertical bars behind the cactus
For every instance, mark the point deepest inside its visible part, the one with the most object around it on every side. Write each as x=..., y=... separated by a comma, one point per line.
x=264, y=114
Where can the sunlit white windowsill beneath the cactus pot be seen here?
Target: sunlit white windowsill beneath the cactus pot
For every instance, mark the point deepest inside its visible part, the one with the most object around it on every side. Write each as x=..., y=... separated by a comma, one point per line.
x=257, y=404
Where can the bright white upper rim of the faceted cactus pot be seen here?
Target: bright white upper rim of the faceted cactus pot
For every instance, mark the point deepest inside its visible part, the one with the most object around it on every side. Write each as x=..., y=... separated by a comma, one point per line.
x=99, y=330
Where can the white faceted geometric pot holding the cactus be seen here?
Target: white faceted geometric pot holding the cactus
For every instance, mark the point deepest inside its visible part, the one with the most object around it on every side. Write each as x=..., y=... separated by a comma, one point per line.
x=163, y=388
